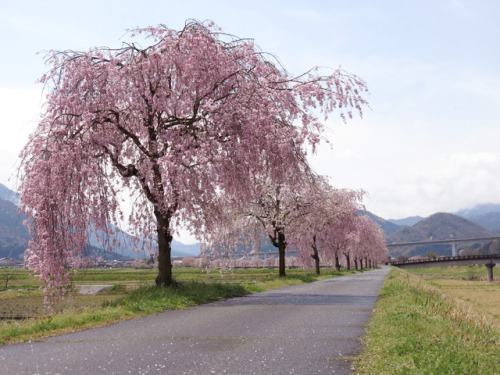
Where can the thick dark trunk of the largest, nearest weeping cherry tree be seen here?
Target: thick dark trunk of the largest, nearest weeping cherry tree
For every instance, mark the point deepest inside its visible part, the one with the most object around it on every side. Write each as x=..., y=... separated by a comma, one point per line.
x=164, y=277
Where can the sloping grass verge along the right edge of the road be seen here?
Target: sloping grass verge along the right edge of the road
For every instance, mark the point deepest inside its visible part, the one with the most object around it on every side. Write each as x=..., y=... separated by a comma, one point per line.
x=418, y=329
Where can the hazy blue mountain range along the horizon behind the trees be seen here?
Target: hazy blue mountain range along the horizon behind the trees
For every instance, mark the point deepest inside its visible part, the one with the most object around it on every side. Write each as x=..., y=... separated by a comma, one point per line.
x=479, y=221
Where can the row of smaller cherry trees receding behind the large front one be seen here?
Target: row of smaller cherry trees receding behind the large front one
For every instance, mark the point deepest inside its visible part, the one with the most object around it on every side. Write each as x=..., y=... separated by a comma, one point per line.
x=302, y=214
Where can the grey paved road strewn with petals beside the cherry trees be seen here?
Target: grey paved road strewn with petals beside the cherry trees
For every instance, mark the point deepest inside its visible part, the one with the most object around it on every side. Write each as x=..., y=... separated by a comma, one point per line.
x=306, y=329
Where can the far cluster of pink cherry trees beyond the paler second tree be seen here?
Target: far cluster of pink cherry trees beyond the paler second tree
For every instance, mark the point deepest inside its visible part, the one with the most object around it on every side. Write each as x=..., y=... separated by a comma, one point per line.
x=336, y=231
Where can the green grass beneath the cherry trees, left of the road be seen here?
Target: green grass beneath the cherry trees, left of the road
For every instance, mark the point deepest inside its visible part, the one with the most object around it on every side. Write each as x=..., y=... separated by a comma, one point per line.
x=133, y=295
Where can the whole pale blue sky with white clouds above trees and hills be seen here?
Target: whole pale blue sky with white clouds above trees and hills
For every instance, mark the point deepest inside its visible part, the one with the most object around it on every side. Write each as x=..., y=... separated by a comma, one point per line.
x=428, y=143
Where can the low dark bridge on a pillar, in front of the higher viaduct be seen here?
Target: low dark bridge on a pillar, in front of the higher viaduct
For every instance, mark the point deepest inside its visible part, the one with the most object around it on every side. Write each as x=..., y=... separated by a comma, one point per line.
x=488, y=260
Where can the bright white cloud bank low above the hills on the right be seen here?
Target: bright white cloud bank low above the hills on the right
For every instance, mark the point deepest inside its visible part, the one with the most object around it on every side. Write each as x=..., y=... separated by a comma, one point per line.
x=459, y=181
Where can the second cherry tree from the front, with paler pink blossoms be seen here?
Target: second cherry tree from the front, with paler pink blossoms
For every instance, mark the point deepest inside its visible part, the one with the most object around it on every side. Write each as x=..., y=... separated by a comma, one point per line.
x=272, y=208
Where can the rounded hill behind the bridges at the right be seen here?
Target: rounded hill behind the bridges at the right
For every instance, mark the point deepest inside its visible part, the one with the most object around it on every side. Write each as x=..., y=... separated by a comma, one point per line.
x=440, y=226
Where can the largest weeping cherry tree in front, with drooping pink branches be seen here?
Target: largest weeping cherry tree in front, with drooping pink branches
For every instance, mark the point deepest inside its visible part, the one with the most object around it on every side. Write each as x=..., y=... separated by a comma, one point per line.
x=168, y=127
